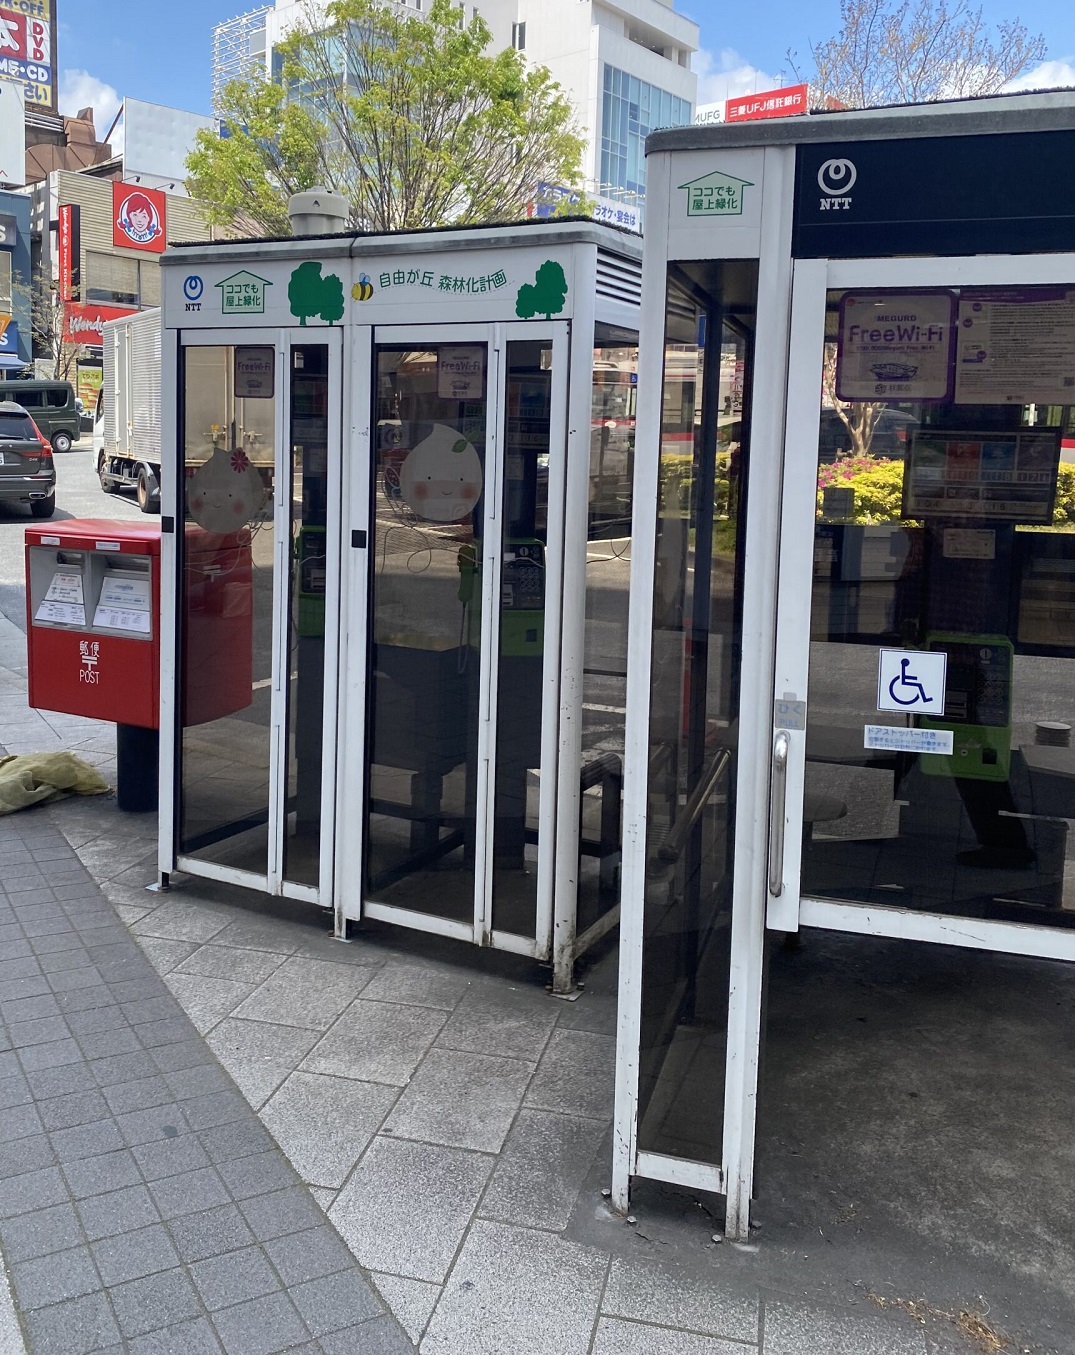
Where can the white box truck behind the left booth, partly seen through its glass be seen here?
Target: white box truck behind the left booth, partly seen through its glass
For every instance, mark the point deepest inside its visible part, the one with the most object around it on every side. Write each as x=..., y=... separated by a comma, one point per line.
x=127, y=423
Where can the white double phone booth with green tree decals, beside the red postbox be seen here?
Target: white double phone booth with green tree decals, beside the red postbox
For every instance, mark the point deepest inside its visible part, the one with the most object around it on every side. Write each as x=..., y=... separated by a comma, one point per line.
x=392, y=460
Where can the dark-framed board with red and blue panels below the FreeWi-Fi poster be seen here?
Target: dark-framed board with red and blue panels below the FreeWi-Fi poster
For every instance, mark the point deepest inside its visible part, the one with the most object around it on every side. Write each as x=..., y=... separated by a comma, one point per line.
x=1007, y=476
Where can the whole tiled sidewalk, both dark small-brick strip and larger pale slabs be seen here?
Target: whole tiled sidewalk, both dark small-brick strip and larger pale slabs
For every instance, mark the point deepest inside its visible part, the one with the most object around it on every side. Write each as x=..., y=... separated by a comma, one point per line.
x=440, y=1116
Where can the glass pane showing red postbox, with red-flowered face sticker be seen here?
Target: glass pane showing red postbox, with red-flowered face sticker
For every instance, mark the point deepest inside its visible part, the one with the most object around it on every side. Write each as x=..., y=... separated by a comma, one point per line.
x=227, y=612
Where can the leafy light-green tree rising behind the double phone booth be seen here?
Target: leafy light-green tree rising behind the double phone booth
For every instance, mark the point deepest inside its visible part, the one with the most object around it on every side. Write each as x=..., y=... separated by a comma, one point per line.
x=407, y=116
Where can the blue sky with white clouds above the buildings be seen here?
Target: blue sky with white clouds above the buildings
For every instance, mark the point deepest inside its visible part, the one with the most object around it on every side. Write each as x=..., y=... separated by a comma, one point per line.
x=162, y=51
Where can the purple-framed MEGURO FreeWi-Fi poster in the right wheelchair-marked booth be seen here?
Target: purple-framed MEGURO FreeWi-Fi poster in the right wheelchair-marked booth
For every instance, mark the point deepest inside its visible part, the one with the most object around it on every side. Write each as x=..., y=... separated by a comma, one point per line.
x=895, y=346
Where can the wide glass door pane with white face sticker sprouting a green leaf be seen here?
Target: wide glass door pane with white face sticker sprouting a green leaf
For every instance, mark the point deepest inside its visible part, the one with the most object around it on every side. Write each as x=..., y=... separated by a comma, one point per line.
x=426, y=627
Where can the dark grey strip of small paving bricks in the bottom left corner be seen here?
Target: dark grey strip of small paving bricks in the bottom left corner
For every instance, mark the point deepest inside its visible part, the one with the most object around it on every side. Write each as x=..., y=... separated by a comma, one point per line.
x=143, y=1205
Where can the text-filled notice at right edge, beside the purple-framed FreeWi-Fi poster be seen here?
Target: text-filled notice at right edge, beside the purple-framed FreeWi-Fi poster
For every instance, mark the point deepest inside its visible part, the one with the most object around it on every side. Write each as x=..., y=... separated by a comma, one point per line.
x=1016, y=348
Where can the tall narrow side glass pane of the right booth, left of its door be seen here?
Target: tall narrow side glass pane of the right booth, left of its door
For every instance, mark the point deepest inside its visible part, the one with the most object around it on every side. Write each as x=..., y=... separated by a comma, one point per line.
x=695, y=703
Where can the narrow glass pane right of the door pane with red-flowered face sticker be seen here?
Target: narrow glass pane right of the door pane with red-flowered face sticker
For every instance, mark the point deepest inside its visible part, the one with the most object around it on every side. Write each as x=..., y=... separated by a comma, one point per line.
x=308, y=440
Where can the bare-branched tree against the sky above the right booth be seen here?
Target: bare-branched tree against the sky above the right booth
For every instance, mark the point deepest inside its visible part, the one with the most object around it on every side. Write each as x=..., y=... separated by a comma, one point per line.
x=916, y=52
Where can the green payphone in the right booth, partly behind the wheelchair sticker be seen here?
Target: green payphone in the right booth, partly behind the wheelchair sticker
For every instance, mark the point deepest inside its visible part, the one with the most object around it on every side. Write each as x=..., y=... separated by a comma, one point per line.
x=978, y=708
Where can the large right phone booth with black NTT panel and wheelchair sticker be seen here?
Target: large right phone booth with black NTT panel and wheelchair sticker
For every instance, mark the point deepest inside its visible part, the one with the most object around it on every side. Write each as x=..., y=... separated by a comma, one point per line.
x=772, y=781
